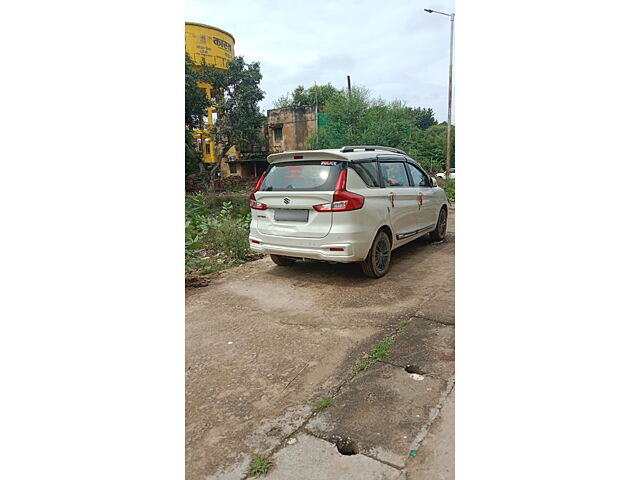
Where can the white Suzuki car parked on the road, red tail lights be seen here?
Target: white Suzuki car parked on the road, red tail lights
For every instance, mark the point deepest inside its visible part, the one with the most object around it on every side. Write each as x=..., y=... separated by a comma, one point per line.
x=355, y=204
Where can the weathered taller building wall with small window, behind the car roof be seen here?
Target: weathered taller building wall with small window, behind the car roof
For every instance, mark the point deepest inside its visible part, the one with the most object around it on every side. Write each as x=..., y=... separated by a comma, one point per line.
x=296, y=124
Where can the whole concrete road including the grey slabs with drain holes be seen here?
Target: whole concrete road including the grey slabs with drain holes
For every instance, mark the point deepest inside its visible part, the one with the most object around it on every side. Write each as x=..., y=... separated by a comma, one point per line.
x=264, y=343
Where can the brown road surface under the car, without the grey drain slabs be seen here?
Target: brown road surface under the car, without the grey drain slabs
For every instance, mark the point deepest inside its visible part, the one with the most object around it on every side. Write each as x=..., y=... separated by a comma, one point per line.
x=264, y=343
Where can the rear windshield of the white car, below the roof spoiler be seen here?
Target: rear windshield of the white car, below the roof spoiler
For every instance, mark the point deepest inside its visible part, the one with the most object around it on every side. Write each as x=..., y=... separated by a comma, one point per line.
x=308, y=176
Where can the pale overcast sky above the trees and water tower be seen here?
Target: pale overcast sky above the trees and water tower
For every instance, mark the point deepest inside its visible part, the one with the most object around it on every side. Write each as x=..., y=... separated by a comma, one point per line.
x=393, y=48
